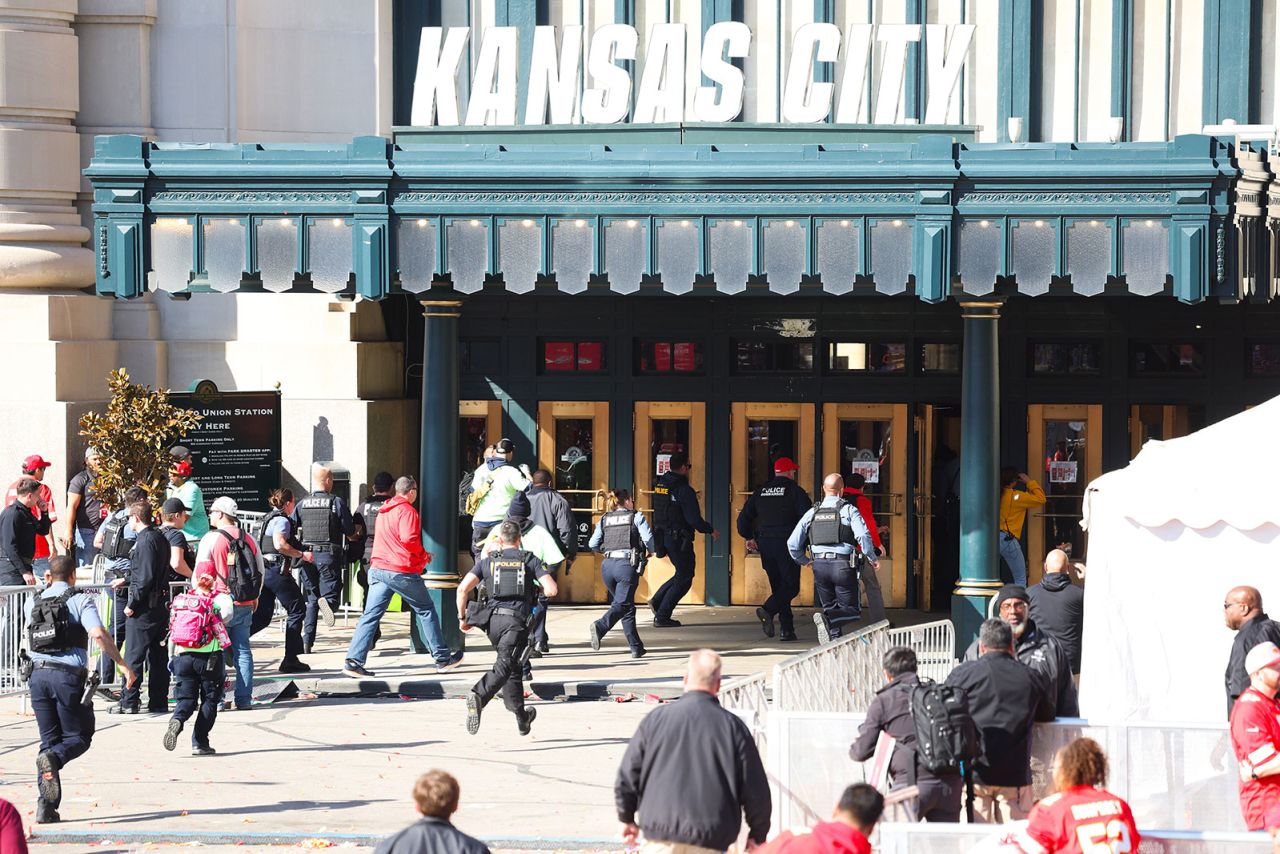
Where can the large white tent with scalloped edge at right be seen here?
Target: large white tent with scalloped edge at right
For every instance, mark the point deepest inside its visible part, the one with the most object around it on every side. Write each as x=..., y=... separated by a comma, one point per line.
x=1169, y=536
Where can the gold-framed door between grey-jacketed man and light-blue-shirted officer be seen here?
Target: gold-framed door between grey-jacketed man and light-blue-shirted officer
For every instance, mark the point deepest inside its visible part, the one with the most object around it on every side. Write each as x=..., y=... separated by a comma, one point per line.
x=574, y=446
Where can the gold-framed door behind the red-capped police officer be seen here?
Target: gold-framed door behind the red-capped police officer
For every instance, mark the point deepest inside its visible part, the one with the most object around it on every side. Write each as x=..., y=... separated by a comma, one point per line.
x=761, y=433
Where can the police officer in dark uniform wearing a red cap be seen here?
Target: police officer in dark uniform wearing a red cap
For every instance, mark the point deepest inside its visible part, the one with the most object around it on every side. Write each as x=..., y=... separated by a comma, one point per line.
x=766, y=522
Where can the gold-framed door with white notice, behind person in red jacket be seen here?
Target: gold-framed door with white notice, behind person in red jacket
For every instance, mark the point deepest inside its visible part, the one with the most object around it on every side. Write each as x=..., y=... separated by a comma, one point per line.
x=871, y=440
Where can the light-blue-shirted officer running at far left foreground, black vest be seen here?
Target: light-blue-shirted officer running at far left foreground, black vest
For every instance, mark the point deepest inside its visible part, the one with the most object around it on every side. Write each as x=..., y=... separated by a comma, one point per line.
x=58, y=637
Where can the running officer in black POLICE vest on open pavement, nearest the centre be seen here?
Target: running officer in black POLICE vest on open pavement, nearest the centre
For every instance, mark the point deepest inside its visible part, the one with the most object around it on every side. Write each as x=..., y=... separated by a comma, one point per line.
x=511, y=579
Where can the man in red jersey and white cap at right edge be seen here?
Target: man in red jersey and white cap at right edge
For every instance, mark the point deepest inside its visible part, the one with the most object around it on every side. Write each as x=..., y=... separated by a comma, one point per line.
x=1256, y=736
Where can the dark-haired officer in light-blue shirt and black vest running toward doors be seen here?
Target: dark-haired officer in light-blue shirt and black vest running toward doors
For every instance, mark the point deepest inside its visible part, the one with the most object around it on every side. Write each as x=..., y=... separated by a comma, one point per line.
x=623, y=536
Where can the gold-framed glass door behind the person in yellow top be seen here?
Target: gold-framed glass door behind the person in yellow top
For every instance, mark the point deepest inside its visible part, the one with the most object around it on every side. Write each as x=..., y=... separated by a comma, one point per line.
x=1064, y=453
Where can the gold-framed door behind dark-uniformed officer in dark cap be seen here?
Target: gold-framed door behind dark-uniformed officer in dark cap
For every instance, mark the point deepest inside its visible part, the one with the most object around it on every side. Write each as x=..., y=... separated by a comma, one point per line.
x=662, y=430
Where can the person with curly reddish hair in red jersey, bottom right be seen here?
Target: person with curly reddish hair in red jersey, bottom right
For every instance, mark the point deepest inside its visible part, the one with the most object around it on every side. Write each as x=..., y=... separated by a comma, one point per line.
x=1081, y=818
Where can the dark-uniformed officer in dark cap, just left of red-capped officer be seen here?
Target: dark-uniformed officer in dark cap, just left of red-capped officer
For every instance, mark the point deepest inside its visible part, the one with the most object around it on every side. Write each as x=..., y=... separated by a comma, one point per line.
x=676, y=515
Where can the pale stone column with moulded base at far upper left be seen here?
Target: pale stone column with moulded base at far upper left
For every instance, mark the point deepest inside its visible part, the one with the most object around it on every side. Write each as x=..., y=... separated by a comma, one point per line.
x=42, y=236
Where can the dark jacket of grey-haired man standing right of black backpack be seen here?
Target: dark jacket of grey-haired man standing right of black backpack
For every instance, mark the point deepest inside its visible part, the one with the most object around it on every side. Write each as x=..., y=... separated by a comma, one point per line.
x=1005, y=698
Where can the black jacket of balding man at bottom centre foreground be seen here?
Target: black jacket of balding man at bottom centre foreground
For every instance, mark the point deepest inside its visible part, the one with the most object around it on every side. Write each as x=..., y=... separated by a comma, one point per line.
x=692, y=770
